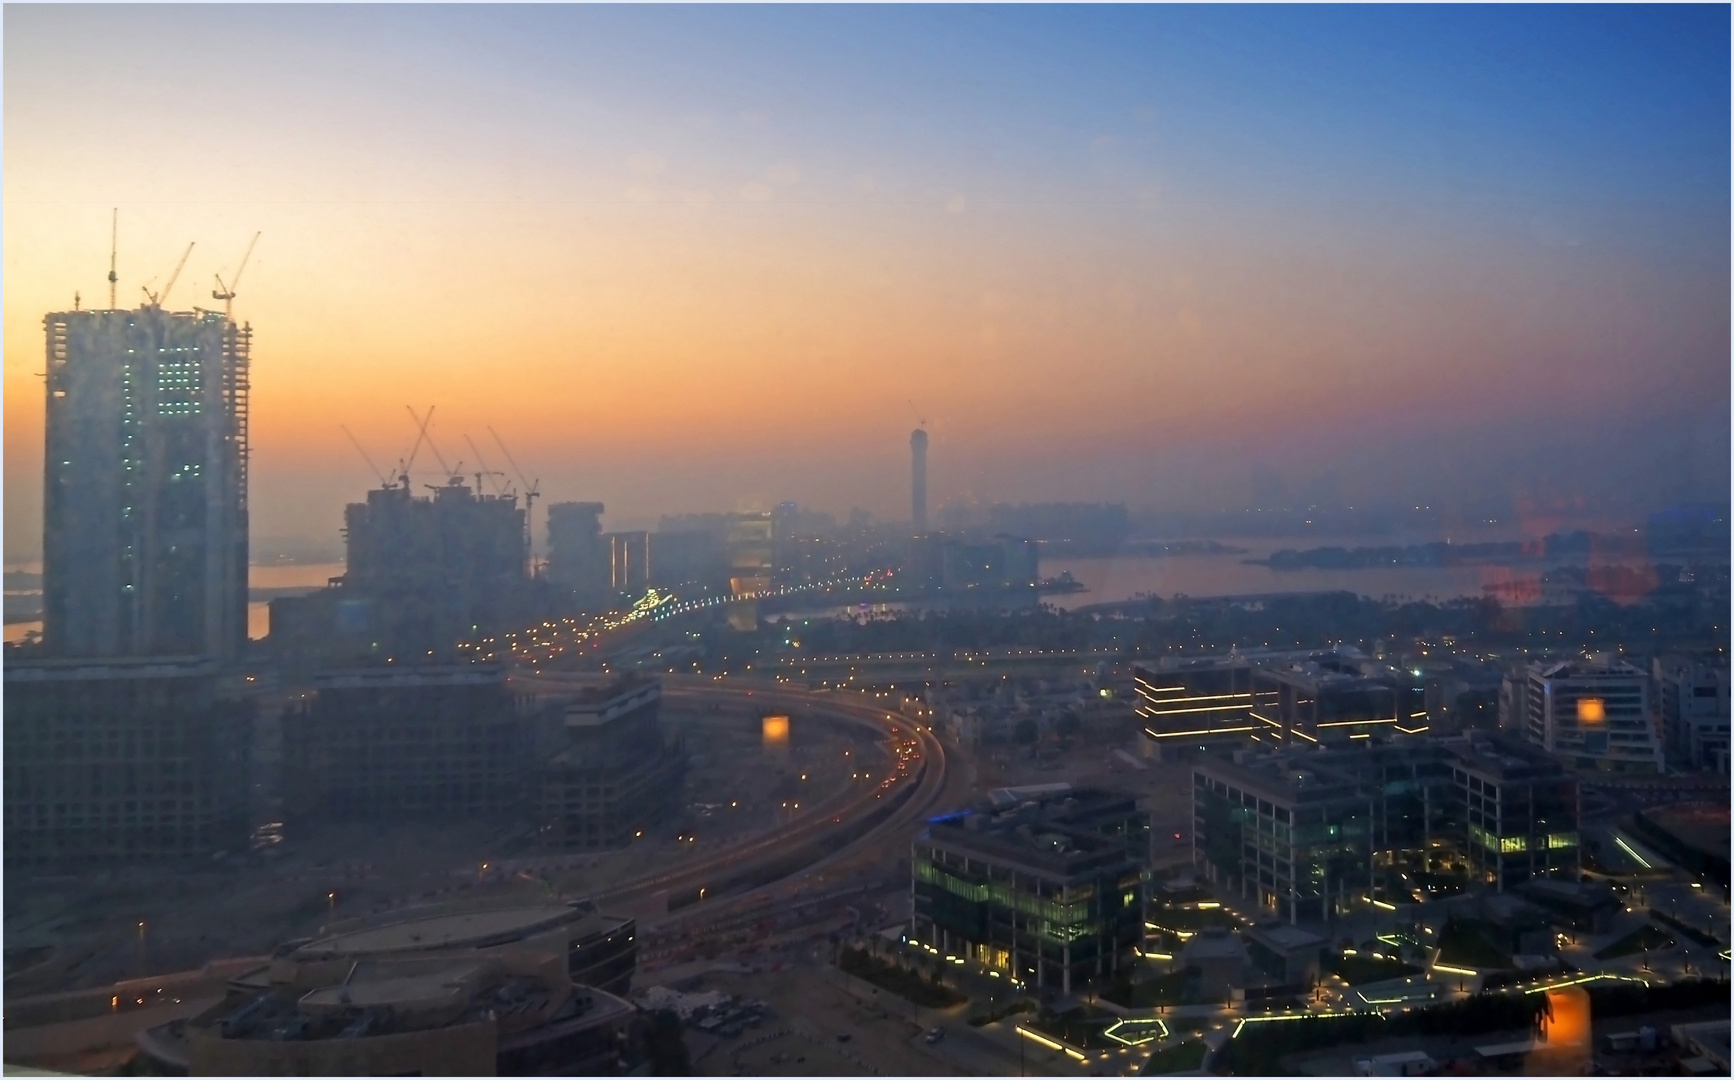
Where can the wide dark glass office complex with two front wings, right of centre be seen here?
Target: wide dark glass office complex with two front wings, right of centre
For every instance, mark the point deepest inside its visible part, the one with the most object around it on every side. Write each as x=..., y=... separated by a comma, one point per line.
x=1310, y=833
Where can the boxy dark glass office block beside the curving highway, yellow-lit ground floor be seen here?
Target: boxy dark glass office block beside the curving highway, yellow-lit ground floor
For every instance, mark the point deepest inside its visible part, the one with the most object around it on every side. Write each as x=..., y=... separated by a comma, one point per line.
x=1043, y=885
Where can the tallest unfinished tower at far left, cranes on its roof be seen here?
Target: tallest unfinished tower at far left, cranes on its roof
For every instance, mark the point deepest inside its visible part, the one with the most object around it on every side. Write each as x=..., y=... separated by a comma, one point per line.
x=145, y=495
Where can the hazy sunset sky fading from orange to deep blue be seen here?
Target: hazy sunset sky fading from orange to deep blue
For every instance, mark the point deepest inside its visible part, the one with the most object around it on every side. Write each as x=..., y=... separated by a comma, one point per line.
x=684, y=259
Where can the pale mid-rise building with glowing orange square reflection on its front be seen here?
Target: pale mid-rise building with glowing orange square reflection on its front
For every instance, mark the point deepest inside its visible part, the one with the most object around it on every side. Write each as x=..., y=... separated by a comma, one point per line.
x=1594, y=715
